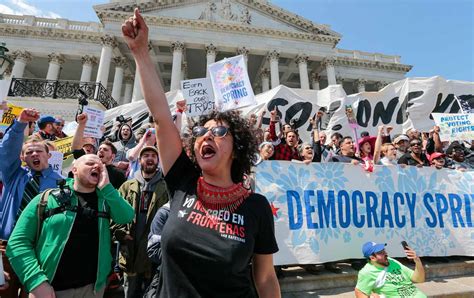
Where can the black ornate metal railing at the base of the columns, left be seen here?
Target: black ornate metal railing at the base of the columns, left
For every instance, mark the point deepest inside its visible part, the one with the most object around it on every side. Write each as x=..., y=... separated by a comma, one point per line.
x=22, y=87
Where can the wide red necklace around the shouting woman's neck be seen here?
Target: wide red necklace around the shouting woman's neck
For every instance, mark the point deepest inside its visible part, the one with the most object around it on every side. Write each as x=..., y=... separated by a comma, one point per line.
x=219, y=198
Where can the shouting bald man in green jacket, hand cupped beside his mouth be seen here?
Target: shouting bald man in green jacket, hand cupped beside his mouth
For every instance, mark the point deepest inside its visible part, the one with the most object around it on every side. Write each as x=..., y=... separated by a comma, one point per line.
x=71, y=257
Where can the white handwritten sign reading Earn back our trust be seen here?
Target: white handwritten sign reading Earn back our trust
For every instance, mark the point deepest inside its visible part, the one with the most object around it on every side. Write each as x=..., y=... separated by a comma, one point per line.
x=198, y=95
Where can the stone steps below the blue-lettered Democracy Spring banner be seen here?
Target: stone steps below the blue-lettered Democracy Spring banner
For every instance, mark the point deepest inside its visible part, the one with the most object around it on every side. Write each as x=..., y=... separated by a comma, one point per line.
x=452, y=279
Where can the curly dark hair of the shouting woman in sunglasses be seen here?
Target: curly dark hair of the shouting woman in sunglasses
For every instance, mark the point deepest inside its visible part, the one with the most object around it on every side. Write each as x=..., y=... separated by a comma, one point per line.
x=245, y=143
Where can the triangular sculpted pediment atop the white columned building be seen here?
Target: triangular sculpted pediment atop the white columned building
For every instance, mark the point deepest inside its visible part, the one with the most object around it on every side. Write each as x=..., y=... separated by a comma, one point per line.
x=252, y=13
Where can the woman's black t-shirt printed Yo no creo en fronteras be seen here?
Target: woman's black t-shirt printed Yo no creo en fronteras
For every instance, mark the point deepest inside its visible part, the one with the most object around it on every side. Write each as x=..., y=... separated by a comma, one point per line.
x=204, y=259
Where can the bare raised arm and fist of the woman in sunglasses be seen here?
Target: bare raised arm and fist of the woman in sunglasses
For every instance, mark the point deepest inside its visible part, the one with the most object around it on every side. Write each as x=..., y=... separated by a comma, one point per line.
x=135, y=33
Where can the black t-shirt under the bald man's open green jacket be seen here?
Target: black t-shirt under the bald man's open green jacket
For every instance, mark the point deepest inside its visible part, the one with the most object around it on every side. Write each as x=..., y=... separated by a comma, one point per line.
x=78, y=264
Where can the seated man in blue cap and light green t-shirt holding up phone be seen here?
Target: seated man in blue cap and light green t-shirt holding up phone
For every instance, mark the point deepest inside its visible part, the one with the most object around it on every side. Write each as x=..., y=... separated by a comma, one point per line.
x=383, y=276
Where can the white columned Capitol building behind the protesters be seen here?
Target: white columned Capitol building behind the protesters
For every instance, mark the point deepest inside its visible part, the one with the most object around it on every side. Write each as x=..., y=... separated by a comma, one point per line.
x=60, y=60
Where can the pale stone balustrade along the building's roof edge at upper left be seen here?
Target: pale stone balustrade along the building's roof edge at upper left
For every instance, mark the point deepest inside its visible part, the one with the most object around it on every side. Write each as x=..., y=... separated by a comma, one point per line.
x=27, y=20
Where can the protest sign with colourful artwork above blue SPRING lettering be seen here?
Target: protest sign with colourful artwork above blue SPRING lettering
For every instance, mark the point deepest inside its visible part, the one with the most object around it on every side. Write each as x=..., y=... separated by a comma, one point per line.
x=231, y=84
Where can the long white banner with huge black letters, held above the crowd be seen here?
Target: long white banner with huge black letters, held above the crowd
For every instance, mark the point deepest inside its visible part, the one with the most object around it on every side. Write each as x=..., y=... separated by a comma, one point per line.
x=402, y=104
